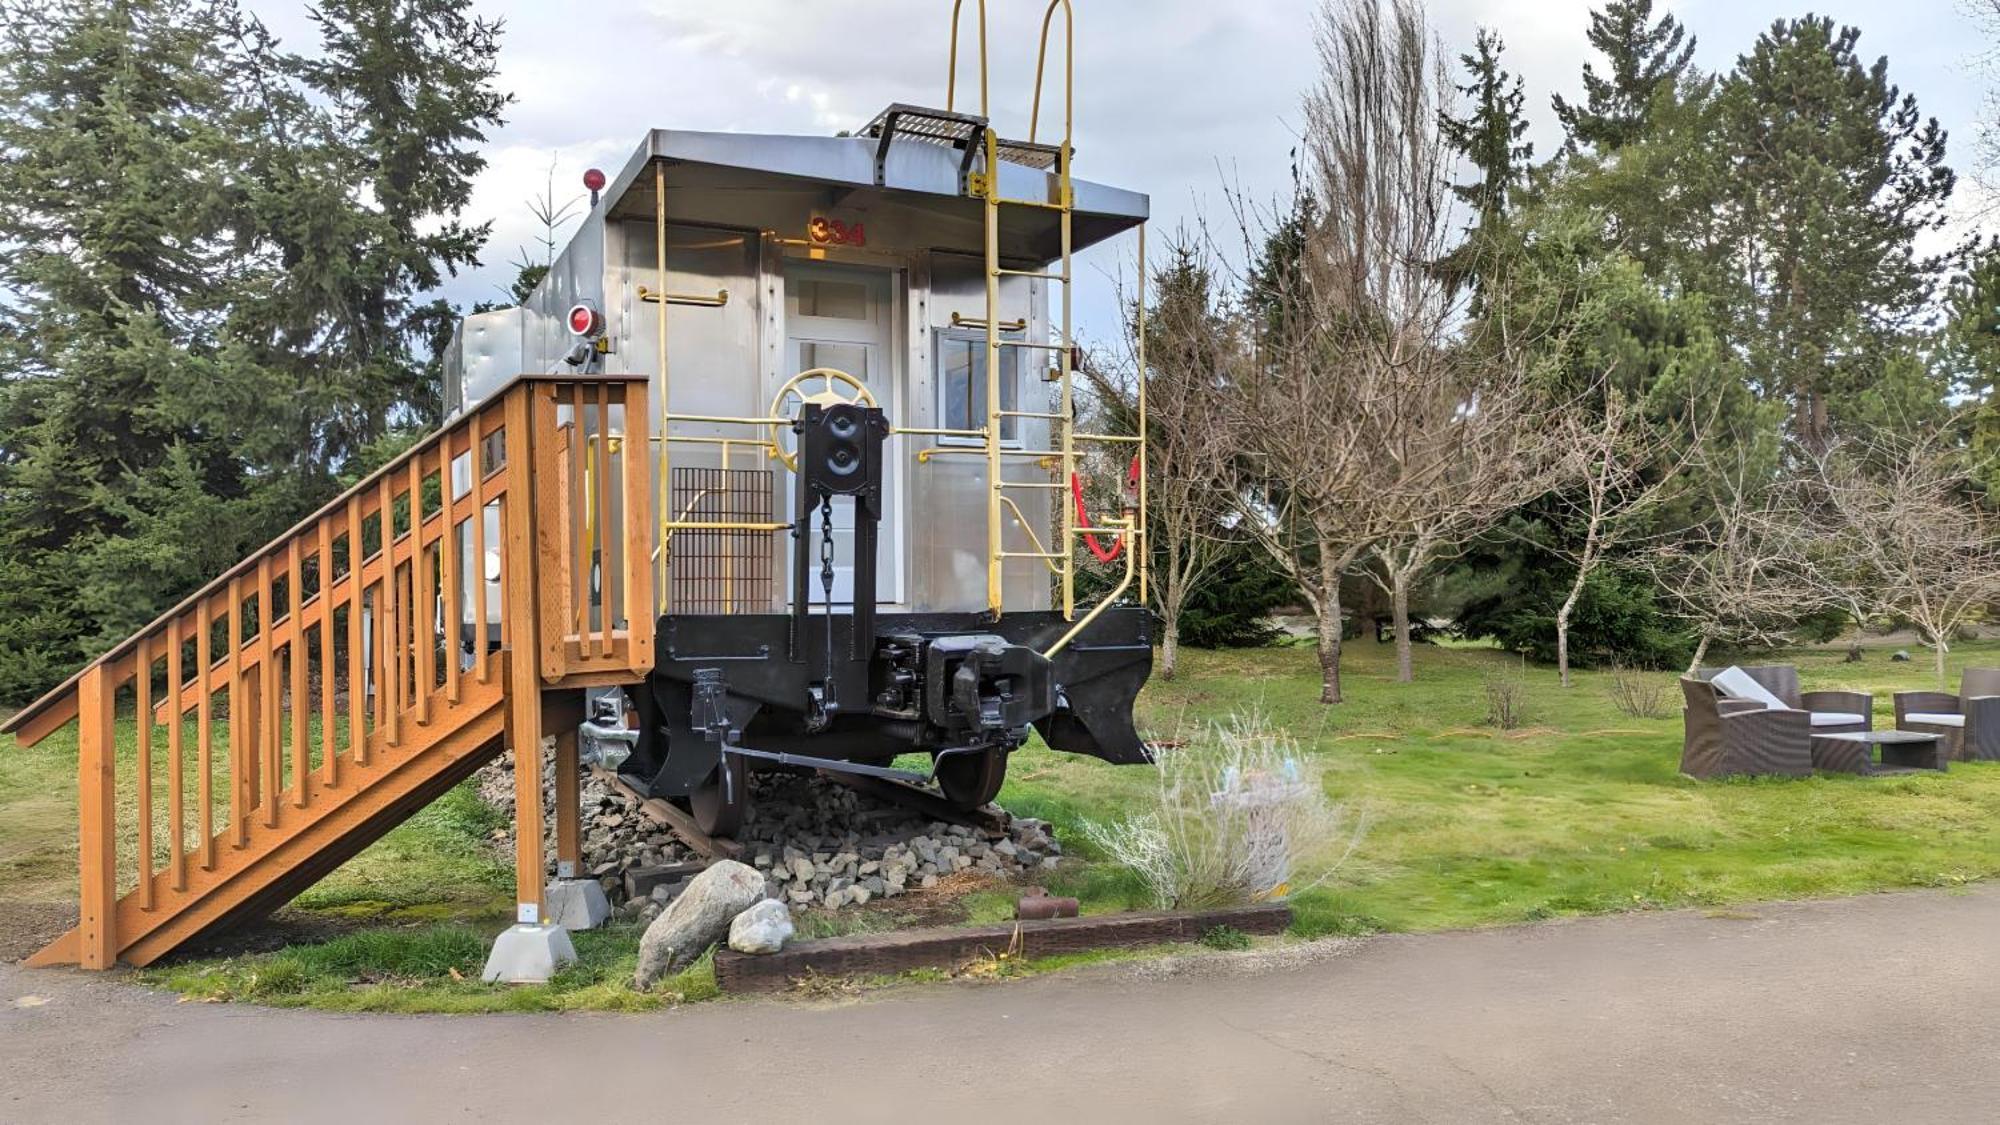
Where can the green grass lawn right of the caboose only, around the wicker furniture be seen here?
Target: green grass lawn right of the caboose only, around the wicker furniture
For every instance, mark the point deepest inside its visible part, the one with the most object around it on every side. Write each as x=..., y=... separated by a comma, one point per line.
x=1581, y=812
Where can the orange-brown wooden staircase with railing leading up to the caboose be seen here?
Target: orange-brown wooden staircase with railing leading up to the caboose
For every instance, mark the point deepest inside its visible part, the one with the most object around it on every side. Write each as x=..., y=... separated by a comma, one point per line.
x=351, y=672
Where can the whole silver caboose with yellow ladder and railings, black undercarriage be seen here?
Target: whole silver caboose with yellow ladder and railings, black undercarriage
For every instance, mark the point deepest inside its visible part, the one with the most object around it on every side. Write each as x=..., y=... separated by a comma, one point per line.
x=867, y=461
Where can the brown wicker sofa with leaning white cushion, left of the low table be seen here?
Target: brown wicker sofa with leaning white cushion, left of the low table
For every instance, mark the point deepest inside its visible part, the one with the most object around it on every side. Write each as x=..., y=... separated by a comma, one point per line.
x=1729, y=736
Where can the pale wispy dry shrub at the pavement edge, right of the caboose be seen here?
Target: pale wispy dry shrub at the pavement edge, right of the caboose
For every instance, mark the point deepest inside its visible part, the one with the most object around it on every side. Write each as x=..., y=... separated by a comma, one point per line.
x=1237, y=816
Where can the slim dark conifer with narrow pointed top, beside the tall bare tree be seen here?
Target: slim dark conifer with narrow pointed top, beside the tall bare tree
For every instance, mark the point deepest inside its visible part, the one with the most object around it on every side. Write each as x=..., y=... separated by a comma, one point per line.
x=1491, y=139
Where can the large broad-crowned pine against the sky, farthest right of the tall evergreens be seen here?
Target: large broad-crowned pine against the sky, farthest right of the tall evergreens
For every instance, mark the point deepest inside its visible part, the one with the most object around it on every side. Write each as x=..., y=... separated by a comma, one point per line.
x=1833, y=177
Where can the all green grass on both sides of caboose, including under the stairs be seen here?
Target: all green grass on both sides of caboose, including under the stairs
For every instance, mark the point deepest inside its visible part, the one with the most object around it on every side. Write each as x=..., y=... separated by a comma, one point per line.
x=1579, y=812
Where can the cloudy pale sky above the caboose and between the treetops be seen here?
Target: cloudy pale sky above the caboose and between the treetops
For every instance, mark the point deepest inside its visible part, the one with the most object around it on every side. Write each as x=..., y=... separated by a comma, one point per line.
x=1175, y=97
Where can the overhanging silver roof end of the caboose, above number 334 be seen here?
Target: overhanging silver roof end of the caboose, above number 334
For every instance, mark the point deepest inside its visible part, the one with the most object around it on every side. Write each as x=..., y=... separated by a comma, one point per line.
x=711, y=173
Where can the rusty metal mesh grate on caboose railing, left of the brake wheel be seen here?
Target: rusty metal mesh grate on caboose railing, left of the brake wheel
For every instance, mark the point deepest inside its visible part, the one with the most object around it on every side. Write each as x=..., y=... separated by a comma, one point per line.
x=721, y=570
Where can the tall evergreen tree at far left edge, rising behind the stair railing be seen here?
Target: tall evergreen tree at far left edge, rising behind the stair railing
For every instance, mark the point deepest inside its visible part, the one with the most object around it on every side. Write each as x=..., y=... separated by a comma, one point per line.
x=115, y=121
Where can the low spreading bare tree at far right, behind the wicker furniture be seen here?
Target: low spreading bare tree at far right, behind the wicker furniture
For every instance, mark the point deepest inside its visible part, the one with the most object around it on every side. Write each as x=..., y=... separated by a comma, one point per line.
x=1909, y=515
